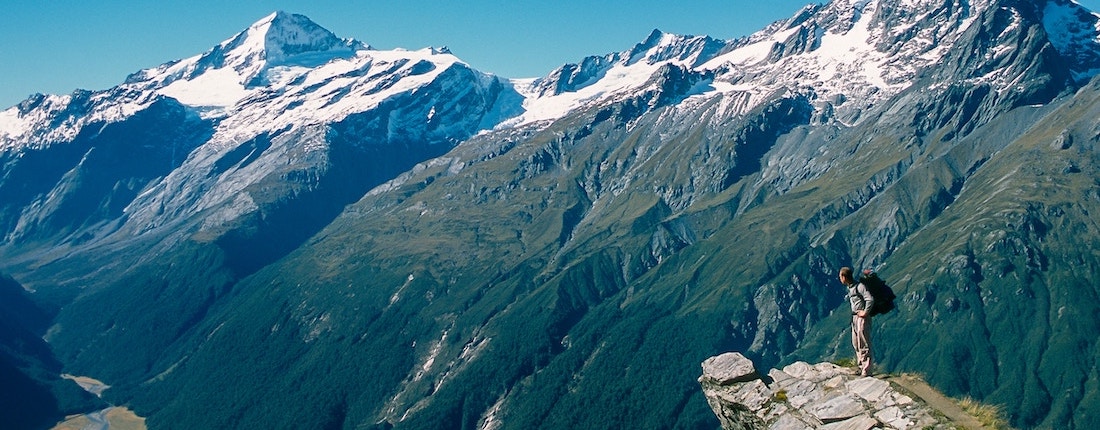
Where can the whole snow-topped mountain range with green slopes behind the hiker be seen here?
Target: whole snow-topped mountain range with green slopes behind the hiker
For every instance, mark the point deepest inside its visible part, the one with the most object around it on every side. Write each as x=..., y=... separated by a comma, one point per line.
x=298, y=228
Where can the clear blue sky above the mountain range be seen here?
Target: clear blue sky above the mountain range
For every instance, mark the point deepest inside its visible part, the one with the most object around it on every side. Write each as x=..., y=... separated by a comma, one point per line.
x=59, y=46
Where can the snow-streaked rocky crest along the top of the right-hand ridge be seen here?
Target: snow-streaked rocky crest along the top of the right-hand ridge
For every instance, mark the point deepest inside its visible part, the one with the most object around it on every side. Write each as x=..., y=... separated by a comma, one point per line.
x=845, y=51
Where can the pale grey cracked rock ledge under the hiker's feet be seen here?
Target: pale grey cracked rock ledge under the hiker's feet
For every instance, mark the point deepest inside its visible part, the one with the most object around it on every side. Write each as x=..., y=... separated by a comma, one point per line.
x=805, y=396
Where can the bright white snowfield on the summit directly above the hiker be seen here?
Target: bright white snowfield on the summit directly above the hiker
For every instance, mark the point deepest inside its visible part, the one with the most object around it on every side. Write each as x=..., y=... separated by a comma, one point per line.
x=846, y=50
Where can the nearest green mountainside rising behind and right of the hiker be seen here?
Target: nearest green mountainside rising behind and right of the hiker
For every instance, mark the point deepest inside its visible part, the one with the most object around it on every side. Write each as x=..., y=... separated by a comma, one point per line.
x=998, y=292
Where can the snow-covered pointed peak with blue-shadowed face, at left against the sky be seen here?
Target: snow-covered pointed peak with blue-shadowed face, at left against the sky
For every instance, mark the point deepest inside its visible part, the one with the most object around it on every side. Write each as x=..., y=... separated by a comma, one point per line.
x=283, y=70
